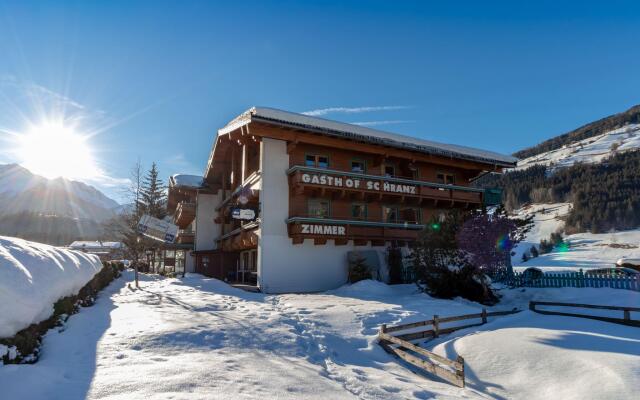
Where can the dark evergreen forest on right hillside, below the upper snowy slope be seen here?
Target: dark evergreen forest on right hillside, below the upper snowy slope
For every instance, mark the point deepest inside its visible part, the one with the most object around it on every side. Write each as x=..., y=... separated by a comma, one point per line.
x=605, y=195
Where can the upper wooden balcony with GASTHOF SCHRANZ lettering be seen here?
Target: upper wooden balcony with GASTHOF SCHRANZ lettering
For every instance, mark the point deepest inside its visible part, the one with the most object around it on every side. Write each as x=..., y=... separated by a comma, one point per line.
x=373, y=187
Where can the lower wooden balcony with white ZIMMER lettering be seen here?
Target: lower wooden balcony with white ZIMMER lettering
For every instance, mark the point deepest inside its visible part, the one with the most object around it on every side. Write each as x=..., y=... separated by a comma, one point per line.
x=341, y=230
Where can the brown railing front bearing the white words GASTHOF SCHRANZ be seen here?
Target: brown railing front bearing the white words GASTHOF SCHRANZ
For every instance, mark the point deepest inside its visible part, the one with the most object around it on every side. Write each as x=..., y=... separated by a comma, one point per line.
x=382, y=185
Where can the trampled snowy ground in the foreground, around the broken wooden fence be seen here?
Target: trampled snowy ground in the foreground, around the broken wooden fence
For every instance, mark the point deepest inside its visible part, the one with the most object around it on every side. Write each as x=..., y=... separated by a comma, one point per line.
x=198, y=338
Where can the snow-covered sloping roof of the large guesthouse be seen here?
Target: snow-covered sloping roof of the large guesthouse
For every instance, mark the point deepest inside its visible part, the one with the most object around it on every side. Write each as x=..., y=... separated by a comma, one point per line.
x=342, y=129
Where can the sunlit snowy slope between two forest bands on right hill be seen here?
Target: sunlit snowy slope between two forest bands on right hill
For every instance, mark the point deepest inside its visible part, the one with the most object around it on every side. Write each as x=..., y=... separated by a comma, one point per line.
x=590, y=150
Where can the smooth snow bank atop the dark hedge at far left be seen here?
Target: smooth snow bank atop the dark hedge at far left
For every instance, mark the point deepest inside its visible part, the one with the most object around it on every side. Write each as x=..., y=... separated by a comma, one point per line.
x=33, y=276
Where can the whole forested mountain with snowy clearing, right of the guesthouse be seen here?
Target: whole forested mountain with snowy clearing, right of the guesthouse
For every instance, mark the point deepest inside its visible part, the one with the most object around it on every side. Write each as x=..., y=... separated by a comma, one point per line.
x=596, y=168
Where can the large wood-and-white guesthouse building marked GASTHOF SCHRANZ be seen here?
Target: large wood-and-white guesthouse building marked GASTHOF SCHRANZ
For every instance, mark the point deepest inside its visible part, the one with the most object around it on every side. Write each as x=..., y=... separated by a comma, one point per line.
x=286, y=197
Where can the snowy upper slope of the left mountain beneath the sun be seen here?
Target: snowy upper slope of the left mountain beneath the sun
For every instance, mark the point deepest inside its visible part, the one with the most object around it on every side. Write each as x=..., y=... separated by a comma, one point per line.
x=22, y=191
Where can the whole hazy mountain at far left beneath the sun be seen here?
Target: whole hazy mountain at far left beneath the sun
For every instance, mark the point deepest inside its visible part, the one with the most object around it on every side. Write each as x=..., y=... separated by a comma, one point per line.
x=54, y=211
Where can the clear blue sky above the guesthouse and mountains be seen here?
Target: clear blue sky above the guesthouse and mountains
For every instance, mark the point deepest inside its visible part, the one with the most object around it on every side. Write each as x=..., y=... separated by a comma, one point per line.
x=157, y=79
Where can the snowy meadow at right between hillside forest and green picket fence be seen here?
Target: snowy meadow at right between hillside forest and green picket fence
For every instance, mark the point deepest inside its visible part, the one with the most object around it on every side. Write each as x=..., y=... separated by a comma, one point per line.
x=586, y=250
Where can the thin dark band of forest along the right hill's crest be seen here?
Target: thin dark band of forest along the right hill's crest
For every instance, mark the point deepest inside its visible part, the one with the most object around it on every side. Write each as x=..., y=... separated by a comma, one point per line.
x=631, y=116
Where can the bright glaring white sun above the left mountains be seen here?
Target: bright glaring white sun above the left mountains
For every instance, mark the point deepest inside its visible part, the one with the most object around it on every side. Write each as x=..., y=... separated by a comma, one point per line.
x=53, y=149
